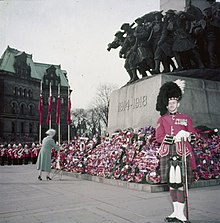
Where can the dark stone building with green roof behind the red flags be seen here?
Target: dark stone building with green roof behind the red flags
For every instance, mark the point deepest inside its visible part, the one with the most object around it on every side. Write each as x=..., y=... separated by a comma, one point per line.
x=20, y=81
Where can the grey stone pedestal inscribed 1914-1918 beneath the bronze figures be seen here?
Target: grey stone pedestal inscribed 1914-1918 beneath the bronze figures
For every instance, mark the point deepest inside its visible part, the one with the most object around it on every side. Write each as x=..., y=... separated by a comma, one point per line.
x=134, y=105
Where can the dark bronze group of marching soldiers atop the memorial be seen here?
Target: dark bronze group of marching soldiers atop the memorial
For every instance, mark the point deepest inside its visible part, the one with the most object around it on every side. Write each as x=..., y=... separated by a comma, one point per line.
x=179, y=40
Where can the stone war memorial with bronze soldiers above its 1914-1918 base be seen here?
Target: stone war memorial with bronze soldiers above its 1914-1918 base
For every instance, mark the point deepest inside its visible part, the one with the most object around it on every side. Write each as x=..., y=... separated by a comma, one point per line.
x=163, y=46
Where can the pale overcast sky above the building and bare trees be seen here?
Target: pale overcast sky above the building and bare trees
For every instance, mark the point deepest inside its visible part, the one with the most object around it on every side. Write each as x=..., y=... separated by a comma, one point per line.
x=74, y=34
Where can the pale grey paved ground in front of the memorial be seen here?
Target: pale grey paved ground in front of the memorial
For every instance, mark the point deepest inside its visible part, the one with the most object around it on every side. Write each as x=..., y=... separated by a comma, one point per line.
x=24, y=199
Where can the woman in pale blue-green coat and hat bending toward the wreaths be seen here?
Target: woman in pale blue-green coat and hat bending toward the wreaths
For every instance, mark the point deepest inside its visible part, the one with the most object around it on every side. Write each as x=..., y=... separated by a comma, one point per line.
x=44, y=157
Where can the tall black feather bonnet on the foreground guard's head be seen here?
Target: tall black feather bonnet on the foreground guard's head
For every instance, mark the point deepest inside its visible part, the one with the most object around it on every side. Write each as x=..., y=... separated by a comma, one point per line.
x=168, y=91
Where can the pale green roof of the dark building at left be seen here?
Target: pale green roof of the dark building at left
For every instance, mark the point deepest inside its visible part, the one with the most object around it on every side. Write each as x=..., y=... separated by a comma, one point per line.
x=38, y=70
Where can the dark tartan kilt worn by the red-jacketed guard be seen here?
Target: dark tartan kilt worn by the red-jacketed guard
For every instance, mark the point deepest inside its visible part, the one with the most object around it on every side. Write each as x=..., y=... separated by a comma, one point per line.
x=165, y=166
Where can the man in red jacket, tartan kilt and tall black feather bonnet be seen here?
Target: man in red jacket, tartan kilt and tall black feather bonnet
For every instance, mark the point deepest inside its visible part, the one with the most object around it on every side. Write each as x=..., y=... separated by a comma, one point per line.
x=172, y=127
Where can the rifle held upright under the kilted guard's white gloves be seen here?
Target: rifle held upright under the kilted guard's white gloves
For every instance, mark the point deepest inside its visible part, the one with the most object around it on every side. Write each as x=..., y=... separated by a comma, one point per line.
x=185, y=179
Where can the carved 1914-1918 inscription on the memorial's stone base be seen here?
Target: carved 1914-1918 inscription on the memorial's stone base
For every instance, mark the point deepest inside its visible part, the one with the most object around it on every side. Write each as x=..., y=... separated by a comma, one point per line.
x=133, y=103
